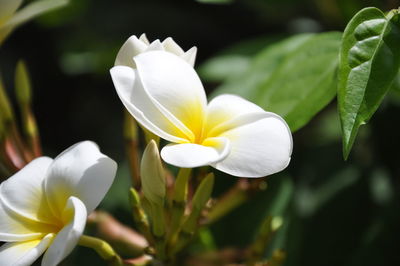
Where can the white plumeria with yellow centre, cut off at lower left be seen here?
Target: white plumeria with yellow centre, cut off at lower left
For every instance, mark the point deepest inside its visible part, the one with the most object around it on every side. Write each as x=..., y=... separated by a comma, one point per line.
x=45, y=204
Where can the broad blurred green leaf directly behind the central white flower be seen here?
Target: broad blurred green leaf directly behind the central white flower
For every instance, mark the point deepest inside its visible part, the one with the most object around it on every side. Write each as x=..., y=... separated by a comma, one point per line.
x=294, y=78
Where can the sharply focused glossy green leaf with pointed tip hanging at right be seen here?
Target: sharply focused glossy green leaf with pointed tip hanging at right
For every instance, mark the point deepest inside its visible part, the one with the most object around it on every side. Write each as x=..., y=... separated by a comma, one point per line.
x=369, y=62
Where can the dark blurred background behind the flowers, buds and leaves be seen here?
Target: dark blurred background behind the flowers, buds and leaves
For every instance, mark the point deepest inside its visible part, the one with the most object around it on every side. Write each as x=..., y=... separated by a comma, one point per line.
x=335, y=212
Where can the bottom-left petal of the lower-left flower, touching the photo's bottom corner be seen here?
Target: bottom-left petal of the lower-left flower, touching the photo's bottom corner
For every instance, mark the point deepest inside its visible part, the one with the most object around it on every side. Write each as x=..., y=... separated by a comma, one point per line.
x=24, y=253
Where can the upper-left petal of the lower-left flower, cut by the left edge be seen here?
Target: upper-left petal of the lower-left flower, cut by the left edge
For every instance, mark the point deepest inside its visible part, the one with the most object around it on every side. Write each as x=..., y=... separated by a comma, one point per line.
x=23, y=192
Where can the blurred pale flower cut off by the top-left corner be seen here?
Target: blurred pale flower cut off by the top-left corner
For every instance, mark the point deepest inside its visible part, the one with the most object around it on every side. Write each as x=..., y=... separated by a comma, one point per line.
x=10, y=18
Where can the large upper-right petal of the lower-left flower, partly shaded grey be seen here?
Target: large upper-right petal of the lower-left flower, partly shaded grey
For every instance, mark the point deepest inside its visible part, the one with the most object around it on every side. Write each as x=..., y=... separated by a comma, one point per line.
x=81, y=171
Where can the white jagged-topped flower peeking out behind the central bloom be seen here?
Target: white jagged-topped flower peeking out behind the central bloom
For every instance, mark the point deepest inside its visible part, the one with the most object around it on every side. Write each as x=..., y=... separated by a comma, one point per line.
x=134, y=46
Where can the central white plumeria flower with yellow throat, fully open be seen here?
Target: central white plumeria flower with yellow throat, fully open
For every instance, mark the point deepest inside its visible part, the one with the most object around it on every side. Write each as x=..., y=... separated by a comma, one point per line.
x=165, y=95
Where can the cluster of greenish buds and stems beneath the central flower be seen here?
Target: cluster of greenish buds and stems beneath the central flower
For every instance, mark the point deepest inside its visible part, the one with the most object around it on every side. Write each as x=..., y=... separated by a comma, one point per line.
x=169, y=211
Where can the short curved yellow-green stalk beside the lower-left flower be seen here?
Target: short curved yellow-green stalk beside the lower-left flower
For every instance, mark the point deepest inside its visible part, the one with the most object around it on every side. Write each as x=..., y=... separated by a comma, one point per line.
x=102, y=248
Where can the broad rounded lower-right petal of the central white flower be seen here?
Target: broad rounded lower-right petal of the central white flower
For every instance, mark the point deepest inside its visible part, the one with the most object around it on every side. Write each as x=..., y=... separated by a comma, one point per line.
x=259, y=147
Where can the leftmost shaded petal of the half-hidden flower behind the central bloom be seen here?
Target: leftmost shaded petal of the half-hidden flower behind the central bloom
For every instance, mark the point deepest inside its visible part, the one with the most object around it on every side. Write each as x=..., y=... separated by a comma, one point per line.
x=132, y=47
